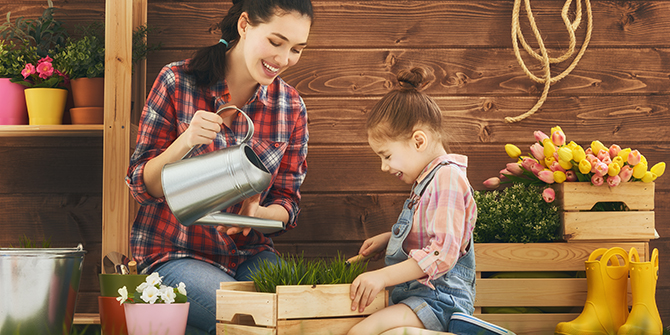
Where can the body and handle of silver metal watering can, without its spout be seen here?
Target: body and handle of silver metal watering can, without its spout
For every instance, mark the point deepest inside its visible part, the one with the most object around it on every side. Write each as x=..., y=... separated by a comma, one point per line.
x=197, y=186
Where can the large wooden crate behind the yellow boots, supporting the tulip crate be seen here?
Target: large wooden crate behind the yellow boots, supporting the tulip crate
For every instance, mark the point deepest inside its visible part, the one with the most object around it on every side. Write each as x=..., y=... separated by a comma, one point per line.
x=535, y=292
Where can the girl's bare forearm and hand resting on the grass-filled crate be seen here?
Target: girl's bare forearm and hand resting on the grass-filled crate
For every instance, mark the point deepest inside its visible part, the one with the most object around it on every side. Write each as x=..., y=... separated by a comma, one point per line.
x=365, y=287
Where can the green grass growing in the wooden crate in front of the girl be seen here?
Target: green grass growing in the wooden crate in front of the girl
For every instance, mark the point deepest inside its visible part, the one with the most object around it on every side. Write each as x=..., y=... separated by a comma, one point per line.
x=295, y=270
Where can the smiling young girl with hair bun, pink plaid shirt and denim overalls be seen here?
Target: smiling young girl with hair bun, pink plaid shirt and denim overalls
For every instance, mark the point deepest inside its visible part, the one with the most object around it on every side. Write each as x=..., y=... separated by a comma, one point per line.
x=429, y=251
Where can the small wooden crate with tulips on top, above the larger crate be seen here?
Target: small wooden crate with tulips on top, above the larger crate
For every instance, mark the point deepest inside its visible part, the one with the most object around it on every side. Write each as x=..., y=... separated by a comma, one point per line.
x=579, y=224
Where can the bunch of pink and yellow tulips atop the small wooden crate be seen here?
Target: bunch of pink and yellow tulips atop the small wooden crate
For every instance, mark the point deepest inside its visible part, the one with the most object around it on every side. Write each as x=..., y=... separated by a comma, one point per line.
x=554, y=160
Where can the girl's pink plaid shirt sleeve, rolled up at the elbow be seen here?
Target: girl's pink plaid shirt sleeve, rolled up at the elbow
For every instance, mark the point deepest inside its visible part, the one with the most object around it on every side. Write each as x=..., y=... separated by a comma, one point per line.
x=444, y=214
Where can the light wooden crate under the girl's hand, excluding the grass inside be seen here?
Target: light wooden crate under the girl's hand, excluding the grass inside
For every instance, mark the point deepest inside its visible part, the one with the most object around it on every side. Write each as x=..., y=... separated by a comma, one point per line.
x=293, y=310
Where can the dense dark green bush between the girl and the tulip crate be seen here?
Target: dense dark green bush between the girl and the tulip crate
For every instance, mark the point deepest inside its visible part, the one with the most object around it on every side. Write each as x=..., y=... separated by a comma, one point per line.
x=516, y=214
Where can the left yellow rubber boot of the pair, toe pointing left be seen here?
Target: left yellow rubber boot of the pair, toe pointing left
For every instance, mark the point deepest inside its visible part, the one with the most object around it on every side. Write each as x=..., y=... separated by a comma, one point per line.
x=606, y=307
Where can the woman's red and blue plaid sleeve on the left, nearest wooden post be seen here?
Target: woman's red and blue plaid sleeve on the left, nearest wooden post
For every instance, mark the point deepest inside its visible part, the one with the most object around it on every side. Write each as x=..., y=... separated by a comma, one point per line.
x=156, y=132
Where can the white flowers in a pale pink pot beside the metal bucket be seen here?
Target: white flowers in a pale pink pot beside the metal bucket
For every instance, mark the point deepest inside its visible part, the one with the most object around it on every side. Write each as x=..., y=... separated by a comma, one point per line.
x=155, y=308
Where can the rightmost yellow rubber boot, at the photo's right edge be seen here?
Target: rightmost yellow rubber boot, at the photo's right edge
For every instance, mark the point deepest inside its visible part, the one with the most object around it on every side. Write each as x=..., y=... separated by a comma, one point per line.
x=644, y=318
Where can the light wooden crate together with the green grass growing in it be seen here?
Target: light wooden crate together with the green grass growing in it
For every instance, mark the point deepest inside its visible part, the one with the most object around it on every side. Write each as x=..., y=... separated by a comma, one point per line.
x=294, y=296
